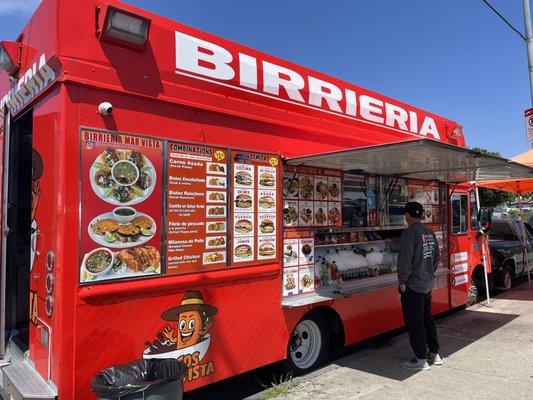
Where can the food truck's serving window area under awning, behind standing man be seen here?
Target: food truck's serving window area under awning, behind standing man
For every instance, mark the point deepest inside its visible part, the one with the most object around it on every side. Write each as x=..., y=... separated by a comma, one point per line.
x=359, y=251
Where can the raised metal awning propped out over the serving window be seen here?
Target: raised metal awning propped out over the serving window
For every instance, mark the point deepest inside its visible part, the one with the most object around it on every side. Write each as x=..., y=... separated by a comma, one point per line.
x=419, y=159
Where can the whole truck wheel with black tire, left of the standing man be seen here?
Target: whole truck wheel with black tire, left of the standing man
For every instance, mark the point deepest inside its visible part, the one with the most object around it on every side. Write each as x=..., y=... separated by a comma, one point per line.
x=309, y=344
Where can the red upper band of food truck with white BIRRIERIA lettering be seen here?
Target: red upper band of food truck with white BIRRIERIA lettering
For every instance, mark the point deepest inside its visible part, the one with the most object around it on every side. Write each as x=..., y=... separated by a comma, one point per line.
x=184, y=65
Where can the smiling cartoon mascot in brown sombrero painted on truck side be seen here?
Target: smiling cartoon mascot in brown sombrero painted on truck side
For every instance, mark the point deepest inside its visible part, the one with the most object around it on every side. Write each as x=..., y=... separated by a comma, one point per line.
x=194, y=319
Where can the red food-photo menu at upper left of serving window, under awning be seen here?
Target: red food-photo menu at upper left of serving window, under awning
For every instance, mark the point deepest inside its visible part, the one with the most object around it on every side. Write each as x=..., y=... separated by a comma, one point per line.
x=312, y=197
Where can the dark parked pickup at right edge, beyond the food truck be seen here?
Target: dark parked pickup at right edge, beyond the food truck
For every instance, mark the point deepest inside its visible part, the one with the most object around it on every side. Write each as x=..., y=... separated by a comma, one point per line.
x=507, y=250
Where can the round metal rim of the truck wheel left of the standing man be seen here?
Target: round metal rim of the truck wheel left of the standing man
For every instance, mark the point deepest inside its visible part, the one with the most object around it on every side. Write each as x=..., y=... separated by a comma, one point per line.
x=306, y=343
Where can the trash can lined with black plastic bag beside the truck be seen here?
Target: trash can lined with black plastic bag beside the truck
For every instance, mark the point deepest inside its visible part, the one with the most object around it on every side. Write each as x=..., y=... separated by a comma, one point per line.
x=153, y=379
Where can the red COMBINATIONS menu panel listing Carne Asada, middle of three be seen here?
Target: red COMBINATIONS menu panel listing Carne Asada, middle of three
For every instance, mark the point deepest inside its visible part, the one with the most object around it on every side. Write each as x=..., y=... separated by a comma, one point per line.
x=197, y=209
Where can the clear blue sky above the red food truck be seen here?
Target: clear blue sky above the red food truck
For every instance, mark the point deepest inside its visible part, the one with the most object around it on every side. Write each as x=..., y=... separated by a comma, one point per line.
x=454, y=58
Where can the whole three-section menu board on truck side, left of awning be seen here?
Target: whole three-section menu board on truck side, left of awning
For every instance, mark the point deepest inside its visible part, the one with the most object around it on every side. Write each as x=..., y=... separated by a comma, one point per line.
x=152, y=207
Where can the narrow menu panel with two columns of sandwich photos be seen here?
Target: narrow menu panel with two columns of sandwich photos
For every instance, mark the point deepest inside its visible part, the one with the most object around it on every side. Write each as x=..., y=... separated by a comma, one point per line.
x=254, y=224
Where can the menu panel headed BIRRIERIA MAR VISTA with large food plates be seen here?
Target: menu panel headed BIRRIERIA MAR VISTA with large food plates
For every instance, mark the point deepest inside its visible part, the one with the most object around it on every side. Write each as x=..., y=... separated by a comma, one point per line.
x=121, y=200
